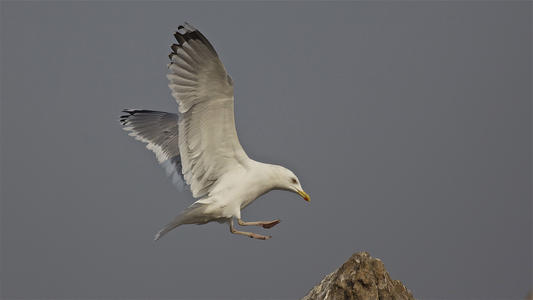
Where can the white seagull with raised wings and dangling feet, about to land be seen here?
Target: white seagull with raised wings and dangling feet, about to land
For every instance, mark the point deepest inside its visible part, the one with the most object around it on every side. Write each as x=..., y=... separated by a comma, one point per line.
x=199, y=147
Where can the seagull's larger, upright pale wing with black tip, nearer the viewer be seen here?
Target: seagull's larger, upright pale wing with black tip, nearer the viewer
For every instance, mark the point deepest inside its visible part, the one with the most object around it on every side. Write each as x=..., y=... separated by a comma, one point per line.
x=208, y=141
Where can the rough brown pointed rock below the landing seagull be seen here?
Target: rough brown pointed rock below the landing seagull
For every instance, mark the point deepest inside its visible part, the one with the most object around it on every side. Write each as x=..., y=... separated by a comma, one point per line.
x=360, y=277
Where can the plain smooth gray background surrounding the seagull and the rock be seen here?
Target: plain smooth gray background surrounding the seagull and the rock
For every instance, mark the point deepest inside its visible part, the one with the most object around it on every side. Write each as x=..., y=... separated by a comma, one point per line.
x=408, y=123
